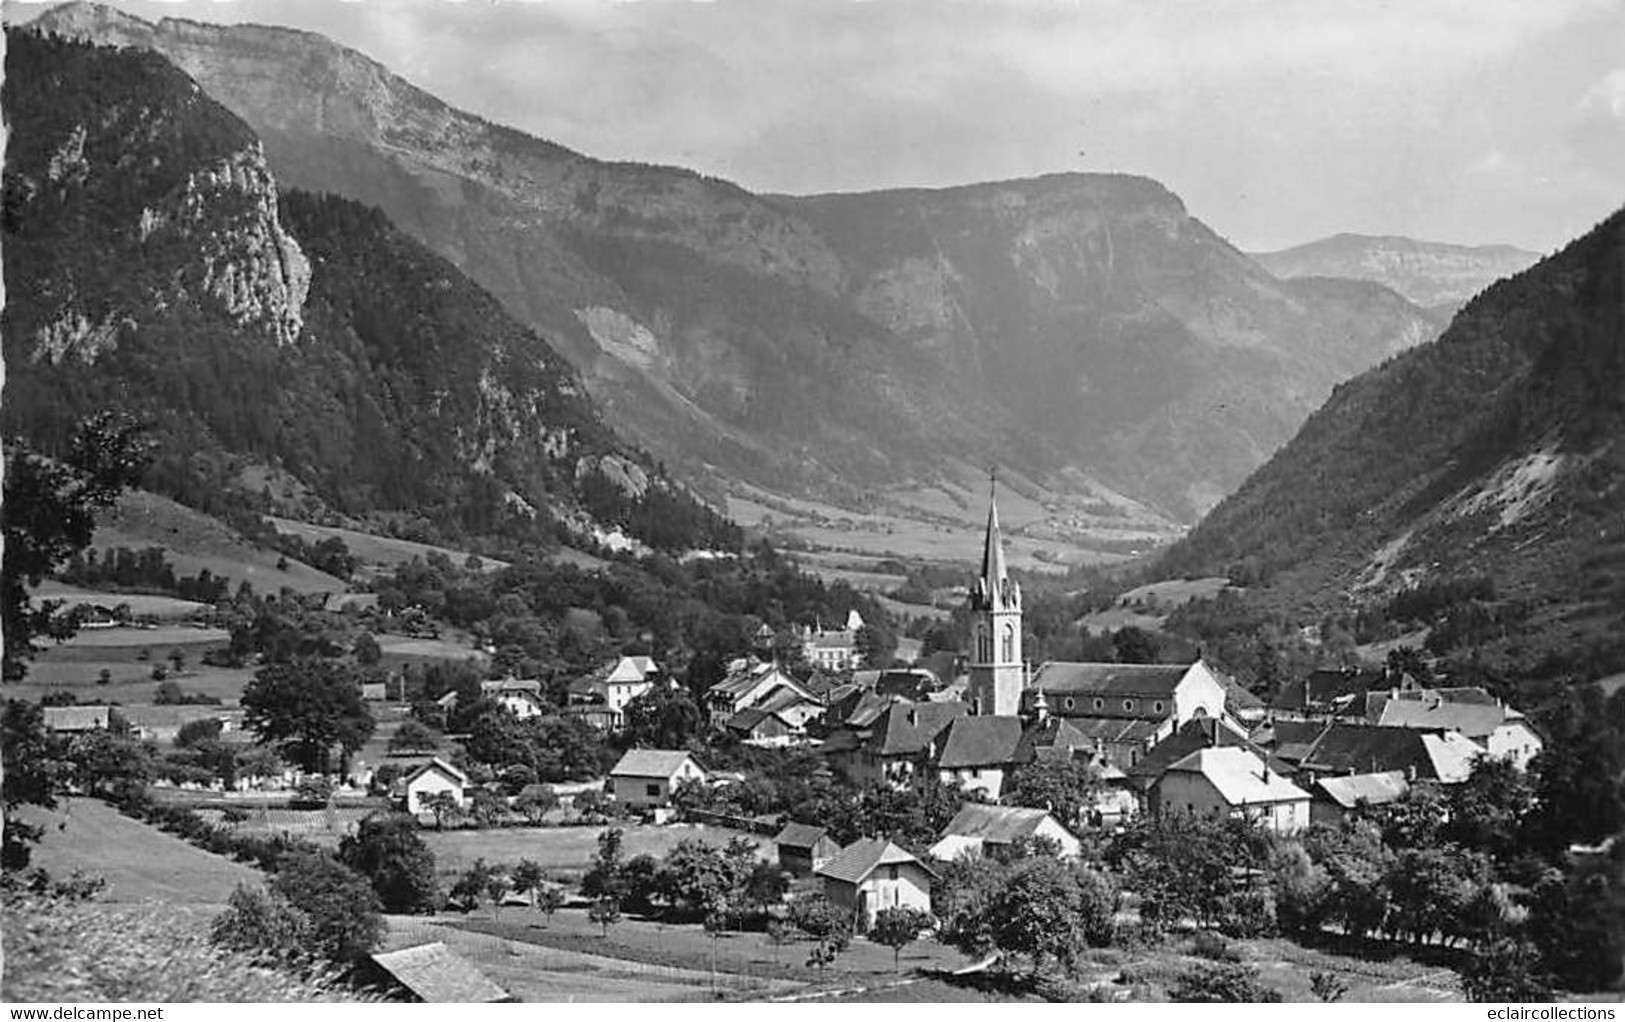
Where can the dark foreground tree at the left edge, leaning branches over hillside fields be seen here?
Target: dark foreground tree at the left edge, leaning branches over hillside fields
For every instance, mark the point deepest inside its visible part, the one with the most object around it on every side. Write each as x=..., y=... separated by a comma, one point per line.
x=51, y=509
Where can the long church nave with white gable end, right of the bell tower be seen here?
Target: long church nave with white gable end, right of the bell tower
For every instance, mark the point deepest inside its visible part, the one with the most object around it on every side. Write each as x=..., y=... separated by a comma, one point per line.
x=1127, y=709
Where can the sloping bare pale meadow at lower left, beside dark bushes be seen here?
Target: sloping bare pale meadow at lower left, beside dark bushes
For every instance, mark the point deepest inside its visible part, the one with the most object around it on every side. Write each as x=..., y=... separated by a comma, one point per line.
x=141, y=864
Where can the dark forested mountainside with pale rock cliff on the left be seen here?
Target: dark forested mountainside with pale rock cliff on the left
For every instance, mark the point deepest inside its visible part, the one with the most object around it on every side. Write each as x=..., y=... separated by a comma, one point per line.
x=154, y=267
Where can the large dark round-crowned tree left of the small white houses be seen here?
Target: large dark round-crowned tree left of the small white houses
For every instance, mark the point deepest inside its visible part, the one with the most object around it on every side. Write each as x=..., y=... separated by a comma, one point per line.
x=306, y=708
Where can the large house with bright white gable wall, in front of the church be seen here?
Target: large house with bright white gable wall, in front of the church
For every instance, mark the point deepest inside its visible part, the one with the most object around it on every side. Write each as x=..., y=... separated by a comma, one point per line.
x=1231, y=781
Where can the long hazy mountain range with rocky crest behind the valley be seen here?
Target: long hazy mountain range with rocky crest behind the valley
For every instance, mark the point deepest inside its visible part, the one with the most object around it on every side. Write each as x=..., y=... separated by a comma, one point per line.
x=1081, y=331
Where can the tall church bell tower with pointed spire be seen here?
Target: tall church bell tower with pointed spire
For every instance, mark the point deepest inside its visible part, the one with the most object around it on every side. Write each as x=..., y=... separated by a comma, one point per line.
x=997, y=673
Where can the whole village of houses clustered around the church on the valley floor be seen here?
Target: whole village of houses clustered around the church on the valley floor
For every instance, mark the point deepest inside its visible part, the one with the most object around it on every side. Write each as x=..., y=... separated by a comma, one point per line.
x=911, y=789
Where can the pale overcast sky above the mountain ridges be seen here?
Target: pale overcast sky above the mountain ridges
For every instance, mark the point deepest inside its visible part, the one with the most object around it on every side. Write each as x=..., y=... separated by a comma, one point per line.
x=1278, y=123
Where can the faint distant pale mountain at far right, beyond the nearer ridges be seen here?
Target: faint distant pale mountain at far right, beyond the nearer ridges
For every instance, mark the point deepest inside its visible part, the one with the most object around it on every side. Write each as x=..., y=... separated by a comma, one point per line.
x=1429, y=274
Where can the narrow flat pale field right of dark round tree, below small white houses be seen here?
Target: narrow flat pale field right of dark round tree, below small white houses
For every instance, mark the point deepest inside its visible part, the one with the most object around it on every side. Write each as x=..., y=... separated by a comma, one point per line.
x=566, y=851
